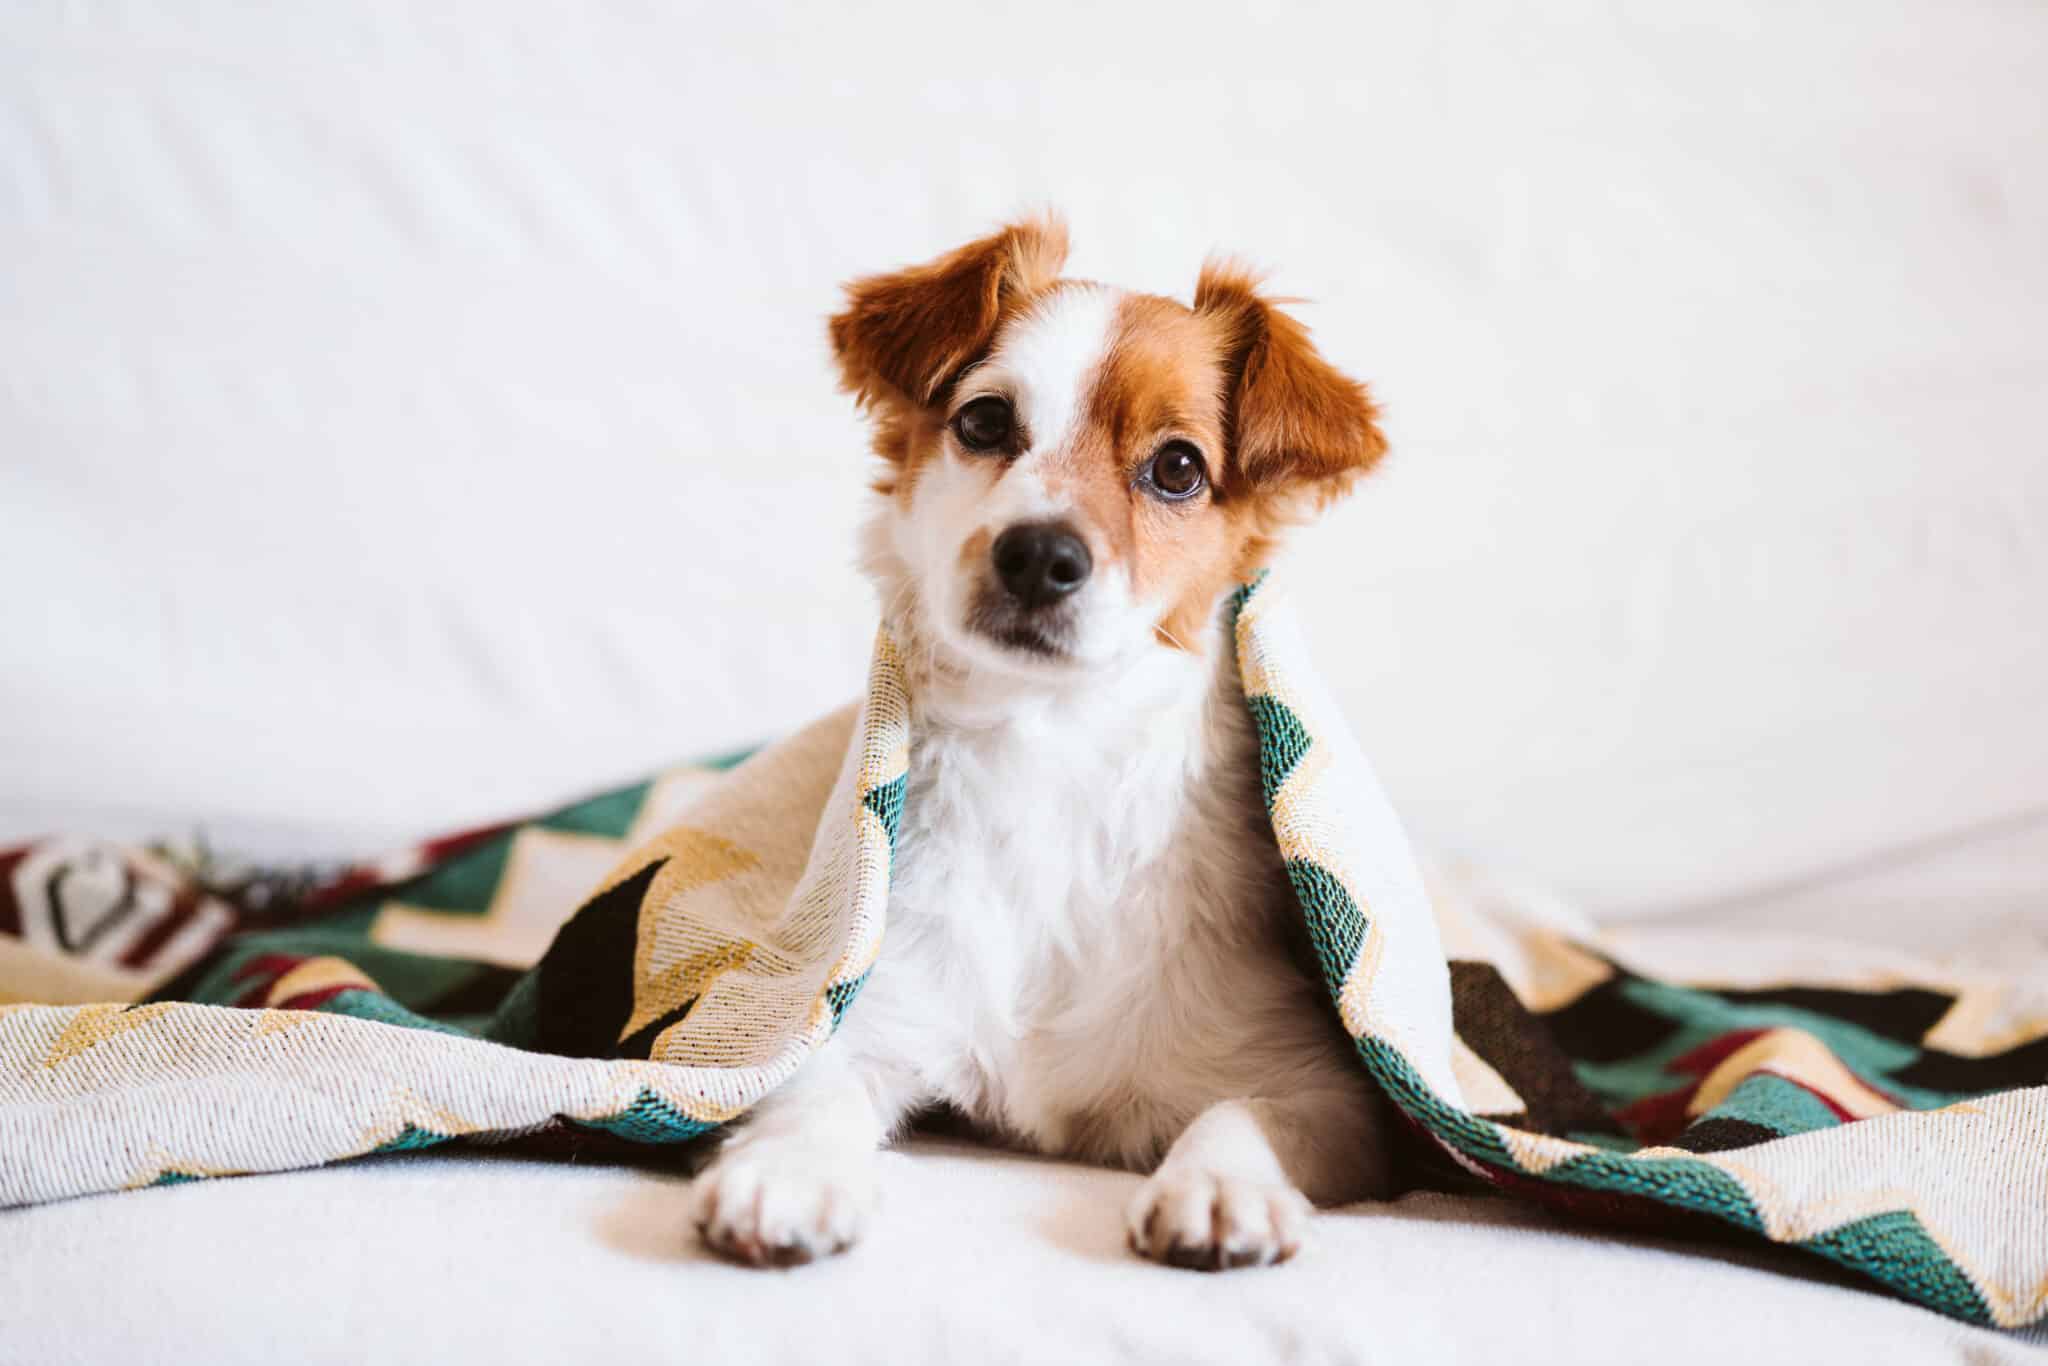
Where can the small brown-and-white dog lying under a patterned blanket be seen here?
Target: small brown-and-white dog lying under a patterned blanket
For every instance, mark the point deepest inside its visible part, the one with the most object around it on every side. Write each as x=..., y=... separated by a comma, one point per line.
x=1093, y=943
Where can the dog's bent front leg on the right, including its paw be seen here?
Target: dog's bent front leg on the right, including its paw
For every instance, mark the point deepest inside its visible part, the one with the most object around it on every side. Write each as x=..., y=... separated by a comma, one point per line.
x=1236, y=1187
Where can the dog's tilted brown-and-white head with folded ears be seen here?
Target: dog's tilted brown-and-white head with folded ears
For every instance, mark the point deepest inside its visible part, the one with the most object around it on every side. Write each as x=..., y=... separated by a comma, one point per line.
x=1078, y=474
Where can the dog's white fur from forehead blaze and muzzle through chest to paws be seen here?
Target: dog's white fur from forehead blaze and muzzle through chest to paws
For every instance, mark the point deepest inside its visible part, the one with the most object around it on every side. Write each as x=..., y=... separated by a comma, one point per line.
x=1089, y=931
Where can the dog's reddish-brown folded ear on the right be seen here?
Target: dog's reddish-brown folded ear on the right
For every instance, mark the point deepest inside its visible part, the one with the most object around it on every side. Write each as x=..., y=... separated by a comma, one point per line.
x=1295, y=419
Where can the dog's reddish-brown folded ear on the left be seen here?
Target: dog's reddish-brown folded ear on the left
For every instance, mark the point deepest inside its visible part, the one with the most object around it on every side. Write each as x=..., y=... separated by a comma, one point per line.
x=908, y=333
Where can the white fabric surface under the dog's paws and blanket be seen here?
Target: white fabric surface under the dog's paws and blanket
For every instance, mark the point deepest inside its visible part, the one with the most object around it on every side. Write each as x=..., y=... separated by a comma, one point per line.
x=974, y=1258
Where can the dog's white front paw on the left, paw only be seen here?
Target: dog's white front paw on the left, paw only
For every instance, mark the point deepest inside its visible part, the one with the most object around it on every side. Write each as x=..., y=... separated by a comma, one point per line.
x=783, y=1203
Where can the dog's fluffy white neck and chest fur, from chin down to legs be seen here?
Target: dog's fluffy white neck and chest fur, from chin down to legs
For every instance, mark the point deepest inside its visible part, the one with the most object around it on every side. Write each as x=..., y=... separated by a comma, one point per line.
x=1082, y=865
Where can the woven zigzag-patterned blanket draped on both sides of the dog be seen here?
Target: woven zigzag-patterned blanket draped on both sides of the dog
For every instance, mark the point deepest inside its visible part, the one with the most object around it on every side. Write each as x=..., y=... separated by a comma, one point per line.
x=167, y=1019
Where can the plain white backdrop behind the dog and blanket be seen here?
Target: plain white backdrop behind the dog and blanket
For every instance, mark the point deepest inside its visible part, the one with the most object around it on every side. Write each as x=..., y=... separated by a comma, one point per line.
x=413, y=415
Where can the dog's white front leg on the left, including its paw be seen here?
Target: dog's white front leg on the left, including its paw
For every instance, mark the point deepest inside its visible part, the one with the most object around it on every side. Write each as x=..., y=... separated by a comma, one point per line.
x=798, y=1181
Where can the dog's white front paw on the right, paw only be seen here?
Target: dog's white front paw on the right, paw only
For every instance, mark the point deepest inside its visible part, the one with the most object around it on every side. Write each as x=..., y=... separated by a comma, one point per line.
x=1211, y=1222
